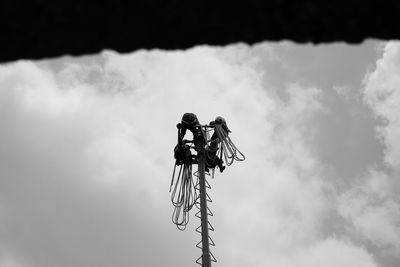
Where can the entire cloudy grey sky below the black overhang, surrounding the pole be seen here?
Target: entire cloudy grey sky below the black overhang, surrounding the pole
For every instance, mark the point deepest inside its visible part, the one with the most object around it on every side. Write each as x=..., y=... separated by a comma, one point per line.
x=86, y=156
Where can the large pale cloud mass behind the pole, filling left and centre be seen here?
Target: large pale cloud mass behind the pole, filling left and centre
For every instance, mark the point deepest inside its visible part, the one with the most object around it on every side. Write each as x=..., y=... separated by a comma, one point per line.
x=86, y=163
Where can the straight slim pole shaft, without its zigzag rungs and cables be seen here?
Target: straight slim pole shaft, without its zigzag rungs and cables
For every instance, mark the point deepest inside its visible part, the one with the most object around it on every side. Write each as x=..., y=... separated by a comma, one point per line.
x=206, y=258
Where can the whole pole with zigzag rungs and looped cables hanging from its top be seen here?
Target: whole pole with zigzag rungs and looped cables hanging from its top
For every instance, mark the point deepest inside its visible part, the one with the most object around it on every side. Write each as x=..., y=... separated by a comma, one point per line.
x=186, y=192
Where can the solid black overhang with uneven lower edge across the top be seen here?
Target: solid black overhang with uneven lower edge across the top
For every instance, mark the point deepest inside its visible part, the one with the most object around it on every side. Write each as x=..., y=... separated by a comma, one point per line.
x=40, y=29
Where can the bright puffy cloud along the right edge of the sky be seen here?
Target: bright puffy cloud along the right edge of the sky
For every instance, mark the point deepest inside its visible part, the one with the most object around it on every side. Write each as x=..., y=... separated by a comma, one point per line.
x=372, y=205
